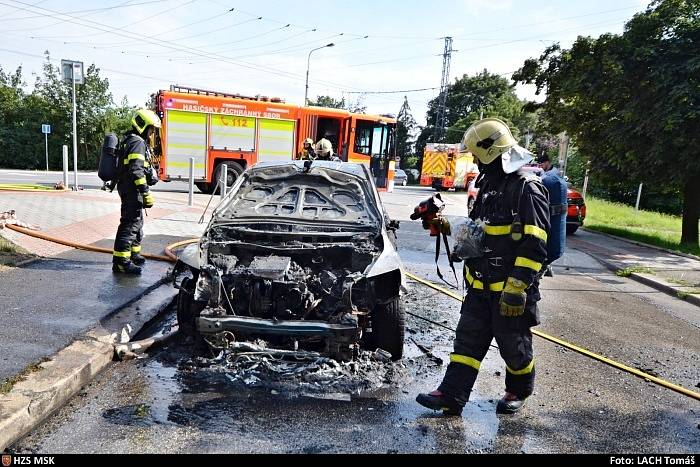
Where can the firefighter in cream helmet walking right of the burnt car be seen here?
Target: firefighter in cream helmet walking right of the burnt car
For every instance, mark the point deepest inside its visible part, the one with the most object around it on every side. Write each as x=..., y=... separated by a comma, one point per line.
x=502, y=293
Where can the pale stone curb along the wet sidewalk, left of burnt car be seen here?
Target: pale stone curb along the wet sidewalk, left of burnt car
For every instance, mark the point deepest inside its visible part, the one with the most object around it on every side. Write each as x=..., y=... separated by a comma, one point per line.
x=33, y=400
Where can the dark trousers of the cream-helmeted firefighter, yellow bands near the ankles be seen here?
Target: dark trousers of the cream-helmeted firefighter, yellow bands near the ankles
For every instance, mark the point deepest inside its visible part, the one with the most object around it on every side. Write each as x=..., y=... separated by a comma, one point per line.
x=479, y=323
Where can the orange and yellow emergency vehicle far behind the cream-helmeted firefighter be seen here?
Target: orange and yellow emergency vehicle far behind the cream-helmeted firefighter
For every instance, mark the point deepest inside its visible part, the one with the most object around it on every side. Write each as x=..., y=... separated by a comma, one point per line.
x=444, y=167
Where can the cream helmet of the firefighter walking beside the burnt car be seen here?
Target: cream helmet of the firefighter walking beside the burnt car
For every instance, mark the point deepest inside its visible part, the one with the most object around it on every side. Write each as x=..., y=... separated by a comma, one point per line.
x=487, y=139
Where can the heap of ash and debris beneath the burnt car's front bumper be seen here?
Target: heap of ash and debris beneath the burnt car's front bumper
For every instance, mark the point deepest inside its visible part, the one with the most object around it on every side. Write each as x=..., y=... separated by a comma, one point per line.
x=254, y=366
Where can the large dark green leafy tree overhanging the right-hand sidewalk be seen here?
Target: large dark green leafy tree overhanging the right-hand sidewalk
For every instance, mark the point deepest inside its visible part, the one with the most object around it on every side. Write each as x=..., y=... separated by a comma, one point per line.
x=632, y=101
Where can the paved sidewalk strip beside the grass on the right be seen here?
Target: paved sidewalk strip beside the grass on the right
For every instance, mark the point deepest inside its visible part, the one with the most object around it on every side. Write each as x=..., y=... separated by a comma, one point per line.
x=675, y=274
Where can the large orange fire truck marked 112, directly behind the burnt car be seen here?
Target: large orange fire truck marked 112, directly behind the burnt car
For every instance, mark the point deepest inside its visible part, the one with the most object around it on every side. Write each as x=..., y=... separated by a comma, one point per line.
x=218, y=129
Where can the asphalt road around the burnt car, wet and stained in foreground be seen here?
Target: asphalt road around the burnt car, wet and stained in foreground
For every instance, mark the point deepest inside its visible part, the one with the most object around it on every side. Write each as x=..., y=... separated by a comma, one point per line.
x=170, y=402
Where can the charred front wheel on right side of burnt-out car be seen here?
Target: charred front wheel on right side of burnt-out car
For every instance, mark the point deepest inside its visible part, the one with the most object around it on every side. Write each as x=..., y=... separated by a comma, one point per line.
x=388, y=327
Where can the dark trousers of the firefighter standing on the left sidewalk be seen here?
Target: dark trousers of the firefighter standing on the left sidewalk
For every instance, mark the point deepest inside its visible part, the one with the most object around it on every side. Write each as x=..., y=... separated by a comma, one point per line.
x=130, y=230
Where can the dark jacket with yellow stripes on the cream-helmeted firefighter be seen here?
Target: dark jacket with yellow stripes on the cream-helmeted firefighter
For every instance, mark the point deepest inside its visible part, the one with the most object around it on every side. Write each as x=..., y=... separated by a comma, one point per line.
x=515, y=208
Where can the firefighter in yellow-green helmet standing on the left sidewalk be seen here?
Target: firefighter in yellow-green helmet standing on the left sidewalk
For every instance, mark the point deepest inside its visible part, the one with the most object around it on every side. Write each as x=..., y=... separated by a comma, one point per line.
x=133, y=188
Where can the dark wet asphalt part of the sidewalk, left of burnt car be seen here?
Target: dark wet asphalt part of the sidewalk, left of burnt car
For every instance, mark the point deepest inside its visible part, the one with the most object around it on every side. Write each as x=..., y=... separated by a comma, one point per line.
x=69, y=294
